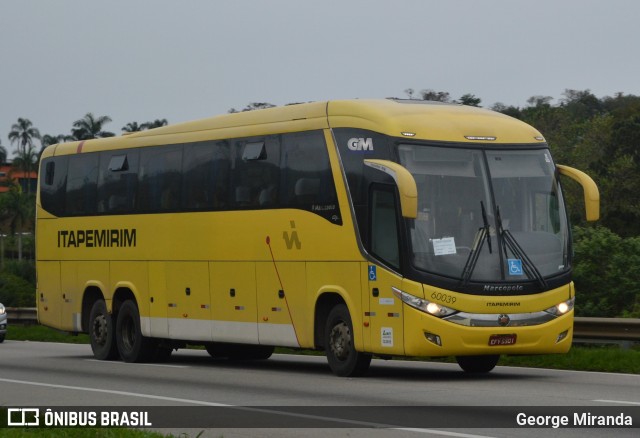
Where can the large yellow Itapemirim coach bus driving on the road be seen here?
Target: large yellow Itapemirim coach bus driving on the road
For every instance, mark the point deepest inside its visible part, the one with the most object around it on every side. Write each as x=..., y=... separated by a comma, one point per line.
x=357, y=227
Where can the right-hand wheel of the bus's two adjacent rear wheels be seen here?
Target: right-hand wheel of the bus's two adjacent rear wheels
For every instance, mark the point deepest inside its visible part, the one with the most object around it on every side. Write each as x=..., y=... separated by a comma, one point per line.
x=132, y=346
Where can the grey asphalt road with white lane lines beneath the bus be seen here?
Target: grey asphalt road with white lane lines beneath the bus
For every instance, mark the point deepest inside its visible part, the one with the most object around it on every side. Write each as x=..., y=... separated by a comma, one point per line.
x=290, y=395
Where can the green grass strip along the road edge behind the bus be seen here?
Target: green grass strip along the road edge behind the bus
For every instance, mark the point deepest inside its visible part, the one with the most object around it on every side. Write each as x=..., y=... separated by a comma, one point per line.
x=603, y=358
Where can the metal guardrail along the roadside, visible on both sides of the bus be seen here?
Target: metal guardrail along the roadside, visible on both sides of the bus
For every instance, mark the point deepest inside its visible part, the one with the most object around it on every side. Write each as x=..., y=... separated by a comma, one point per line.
x=584, y=329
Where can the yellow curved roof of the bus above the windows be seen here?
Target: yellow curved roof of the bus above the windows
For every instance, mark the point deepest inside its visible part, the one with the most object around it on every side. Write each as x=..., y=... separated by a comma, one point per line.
x=413, y=119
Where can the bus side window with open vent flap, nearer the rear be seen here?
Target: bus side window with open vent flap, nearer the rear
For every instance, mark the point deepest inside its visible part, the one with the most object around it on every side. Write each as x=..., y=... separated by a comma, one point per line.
x=117, y=182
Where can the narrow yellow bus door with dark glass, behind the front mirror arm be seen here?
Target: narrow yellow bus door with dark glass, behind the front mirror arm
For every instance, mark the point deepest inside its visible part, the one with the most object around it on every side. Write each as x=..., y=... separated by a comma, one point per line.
x=385, y=309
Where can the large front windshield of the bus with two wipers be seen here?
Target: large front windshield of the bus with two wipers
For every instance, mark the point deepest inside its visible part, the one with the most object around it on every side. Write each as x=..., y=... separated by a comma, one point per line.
x=487, y=215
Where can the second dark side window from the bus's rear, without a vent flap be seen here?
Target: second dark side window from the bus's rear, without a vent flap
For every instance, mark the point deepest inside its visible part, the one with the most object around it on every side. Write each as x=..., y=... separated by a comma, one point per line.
x=82, y=183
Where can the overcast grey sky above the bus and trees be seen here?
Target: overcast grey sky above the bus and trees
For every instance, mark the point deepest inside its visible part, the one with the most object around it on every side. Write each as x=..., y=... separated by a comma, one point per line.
x=141, y=60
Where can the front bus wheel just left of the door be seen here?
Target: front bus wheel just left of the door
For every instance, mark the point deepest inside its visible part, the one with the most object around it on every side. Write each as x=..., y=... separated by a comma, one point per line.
x=344, y=360
